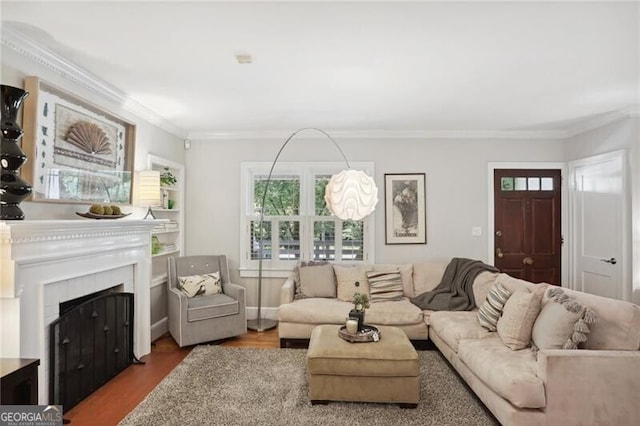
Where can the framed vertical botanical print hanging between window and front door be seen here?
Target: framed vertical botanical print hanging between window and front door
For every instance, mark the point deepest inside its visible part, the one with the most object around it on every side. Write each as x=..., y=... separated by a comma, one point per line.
x=405, y=208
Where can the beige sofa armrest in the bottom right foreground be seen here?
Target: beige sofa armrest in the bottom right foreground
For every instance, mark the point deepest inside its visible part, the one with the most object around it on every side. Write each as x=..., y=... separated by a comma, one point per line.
x=591, y=386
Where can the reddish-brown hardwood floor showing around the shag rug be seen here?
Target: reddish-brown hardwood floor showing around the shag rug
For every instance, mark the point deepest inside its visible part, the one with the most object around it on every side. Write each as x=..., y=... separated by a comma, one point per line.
x=113, y=401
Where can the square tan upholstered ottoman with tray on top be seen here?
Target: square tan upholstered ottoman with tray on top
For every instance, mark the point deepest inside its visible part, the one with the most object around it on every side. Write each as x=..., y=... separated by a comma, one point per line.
x=383, y=371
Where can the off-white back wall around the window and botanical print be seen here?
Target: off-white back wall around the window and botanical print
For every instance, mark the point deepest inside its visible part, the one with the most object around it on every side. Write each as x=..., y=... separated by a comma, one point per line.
x=456, y=172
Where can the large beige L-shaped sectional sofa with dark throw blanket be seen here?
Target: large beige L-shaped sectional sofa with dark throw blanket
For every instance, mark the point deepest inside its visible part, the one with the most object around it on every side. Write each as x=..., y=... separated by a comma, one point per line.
x=597, y=384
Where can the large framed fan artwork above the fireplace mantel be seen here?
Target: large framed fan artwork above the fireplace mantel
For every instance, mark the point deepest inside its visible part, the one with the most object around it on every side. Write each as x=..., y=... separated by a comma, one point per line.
x=76, y=151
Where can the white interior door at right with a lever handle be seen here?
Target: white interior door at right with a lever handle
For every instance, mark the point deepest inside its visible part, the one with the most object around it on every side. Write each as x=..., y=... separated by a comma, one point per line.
x=598, y=213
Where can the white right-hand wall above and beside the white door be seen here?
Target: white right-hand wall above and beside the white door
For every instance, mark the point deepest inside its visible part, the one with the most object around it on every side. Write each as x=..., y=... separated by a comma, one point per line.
x=625, y=135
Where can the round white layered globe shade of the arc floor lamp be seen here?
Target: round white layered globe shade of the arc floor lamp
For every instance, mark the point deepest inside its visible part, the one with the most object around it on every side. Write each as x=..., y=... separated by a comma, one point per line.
x=351, y=194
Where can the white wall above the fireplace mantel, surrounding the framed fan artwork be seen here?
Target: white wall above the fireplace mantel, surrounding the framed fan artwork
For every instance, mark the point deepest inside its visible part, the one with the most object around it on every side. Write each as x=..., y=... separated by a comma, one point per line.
x=149, y=138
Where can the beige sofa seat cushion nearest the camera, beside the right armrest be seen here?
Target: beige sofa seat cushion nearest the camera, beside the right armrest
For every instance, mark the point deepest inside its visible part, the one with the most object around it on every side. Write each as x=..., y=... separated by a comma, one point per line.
x=511, y=374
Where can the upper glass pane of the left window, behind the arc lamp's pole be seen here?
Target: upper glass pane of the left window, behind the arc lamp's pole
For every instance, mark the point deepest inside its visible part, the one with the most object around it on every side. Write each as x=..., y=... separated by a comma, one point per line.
x=282, y=198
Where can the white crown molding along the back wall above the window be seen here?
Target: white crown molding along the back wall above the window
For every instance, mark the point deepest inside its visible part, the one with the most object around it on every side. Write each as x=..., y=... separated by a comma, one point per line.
x=387, y=134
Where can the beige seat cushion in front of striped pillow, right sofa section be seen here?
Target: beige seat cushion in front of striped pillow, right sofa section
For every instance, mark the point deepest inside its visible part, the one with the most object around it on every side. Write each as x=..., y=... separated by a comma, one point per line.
x=454, y=326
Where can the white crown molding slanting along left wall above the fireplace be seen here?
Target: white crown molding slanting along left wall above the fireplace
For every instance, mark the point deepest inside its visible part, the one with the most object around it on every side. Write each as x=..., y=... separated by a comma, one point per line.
x=26, y=46
